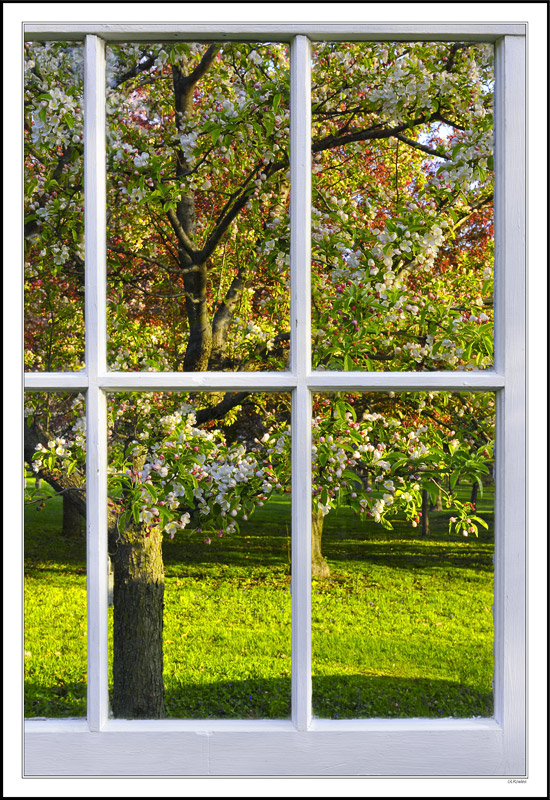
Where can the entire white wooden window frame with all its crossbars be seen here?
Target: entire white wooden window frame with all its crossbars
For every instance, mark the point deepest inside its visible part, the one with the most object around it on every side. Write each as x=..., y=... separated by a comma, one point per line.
x=99, y=746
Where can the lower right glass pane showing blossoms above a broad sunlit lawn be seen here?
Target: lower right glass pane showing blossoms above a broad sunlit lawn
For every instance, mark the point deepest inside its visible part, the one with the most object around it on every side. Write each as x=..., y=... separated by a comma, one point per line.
x=403, y=523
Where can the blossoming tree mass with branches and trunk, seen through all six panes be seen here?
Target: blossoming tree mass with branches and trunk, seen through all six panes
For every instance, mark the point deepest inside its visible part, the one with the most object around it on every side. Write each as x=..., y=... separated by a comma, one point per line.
x=198, y=276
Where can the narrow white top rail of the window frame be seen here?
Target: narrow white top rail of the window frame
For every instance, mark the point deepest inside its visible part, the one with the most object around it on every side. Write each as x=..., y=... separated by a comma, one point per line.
x=254, y=31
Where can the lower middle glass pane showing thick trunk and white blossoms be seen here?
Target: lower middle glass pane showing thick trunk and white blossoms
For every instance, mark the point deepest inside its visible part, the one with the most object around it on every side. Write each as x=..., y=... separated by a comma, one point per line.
x=199, y=543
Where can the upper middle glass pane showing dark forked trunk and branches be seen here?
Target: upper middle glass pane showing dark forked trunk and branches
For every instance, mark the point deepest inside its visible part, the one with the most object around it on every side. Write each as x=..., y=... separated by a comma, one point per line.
x=198, y=194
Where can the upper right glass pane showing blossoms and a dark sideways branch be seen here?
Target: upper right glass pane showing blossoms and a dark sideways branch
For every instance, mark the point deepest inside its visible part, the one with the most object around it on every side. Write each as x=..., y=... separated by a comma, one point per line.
x=402, y=206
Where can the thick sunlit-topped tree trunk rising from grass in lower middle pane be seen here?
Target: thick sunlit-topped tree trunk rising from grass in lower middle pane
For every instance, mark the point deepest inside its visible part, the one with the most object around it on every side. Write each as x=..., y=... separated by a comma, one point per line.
x=138, y=686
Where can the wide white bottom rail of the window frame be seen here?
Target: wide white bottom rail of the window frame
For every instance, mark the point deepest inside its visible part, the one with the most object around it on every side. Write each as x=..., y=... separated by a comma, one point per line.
x=387, y=747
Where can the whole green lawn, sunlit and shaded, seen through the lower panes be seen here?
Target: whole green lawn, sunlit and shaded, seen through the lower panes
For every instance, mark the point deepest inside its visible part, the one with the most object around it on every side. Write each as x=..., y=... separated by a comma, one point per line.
x=403, y=627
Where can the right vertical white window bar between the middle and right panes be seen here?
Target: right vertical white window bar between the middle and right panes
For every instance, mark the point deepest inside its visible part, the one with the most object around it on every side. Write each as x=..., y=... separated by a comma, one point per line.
x=300, y=349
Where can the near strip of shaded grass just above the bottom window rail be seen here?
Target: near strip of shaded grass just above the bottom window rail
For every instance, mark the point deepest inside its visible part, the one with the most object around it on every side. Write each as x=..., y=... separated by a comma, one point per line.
x=334, y=697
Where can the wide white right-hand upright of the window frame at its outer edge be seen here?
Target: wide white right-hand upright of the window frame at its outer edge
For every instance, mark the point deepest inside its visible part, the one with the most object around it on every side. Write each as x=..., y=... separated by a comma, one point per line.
x=510, y=358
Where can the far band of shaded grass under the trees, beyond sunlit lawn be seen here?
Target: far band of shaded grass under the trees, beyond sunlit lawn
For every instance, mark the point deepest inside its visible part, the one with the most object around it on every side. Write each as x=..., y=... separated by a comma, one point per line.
x=264, y=541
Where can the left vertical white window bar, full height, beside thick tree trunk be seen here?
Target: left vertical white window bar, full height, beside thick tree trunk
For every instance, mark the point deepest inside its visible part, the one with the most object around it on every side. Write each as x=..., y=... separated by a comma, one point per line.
x=96, y=406
